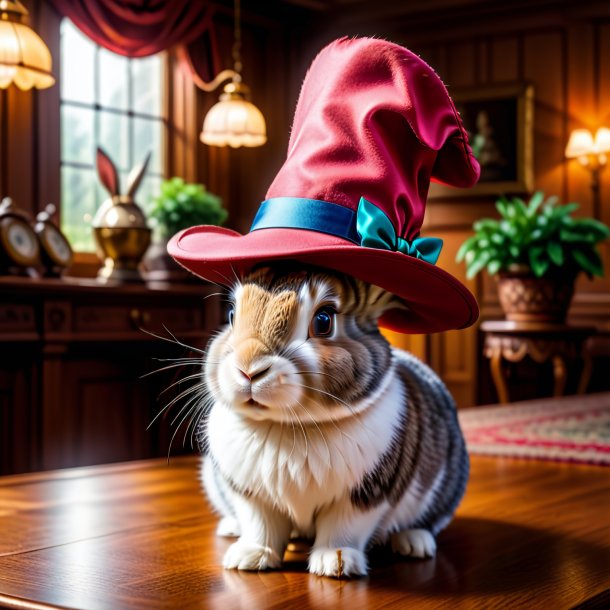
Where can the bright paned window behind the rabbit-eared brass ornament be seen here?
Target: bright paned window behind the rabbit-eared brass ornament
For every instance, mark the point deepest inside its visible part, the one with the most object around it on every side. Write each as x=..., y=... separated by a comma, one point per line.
x=114, y=102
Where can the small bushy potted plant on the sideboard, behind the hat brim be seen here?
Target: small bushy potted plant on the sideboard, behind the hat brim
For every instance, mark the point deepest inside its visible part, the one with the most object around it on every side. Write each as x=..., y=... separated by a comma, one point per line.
x=178, y=206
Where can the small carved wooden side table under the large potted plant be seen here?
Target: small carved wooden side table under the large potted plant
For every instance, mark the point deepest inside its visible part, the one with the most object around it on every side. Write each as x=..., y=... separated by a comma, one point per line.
x=560, y=344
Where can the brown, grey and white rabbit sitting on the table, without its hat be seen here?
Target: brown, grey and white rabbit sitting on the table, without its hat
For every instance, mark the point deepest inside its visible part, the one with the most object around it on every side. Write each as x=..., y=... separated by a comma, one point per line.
x=316, y=427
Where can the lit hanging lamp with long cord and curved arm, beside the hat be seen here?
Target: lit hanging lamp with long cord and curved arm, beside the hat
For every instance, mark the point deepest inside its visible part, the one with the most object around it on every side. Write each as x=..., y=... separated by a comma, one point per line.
x=233, y=121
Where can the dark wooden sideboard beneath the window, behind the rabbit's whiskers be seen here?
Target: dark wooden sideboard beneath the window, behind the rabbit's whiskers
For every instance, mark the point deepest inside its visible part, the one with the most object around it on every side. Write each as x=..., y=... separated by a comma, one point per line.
x=72, y=356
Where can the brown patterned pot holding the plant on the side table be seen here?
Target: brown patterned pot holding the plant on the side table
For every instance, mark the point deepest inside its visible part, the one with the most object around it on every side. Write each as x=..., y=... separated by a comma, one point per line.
x=527, y=298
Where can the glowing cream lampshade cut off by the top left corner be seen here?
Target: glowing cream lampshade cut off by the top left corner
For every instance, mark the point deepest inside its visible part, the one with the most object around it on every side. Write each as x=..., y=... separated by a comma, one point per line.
x=24, y=57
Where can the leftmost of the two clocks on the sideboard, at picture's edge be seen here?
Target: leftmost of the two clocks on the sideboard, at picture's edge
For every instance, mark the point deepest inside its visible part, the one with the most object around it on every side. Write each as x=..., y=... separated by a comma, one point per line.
x=19, y=248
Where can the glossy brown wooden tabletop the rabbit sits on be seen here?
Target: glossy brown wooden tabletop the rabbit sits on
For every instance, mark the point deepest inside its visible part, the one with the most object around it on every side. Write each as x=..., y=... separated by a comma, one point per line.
x=140, y=535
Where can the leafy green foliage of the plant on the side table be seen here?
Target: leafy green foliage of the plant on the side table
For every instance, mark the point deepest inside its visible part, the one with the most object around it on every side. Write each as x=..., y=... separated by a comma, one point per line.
x=540, y=234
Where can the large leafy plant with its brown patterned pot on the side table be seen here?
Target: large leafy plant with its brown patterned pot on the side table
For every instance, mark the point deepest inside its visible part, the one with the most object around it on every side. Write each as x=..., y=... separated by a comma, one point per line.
x=537, y=249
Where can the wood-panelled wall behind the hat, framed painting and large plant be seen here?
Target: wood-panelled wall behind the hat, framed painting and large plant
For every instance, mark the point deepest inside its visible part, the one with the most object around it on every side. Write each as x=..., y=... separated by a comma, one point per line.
x=563, y=50
